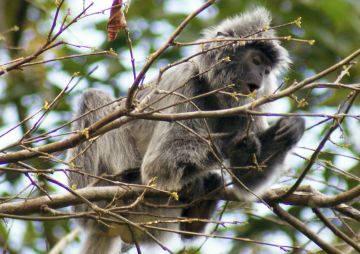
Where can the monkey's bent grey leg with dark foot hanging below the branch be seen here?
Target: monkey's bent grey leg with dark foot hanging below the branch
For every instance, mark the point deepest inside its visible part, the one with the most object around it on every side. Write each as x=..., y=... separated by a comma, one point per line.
x=180, y=161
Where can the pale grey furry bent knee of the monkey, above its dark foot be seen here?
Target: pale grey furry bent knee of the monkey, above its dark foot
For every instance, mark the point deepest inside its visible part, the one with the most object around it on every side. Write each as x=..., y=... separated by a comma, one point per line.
x=176, y=156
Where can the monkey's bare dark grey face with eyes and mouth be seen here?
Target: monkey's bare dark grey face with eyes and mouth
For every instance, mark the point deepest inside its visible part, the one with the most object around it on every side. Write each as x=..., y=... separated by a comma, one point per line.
x=252, y=67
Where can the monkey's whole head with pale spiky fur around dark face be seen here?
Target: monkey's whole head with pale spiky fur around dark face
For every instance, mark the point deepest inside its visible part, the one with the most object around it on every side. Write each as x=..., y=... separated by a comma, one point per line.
x=248, y=65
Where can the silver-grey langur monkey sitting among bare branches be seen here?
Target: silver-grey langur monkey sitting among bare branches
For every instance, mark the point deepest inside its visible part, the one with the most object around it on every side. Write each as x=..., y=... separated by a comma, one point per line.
x=181, y=160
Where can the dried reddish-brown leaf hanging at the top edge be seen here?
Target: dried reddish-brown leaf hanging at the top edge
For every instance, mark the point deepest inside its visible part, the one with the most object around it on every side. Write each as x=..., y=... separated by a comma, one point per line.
x=117, y=21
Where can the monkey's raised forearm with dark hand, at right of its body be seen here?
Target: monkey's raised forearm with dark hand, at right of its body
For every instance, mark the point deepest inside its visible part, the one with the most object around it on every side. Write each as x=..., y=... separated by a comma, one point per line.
x=256, y=159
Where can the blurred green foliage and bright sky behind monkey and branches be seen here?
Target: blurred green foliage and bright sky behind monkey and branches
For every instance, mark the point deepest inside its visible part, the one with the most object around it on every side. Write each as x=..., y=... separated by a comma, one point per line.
x=24, y=25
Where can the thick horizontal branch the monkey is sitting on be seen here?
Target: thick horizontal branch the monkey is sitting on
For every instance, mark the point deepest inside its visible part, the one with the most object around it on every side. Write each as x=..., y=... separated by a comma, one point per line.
x=306, y=196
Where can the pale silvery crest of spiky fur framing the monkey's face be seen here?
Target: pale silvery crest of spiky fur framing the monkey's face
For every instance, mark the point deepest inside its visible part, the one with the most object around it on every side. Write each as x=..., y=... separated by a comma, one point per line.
x=252, y=24
